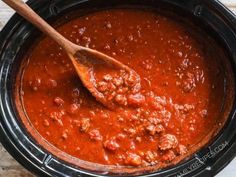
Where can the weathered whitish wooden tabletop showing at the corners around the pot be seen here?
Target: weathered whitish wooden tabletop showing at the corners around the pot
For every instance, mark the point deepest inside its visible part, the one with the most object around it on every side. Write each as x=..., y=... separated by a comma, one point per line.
x=10, y=168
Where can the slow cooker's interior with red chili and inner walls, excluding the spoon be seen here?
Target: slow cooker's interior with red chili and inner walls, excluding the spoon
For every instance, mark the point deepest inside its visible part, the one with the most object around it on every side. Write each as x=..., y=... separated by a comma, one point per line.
x=186, y=94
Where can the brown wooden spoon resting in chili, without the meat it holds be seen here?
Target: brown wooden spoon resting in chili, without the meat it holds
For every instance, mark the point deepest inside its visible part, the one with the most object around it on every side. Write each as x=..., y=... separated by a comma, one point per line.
x=83, y=58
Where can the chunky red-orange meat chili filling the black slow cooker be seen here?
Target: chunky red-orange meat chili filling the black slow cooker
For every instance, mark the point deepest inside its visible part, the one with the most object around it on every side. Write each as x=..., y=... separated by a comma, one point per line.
x=177, y=106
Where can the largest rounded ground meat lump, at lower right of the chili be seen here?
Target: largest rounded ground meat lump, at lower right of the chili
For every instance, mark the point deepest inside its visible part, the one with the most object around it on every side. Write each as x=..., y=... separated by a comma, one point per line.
x=168, y=141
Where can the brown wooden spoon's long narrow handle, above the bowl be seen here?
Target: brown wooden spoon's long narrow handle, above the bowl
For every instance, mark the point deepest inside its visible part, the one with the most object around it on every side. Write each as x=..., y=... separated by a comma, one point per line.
x=24, y=10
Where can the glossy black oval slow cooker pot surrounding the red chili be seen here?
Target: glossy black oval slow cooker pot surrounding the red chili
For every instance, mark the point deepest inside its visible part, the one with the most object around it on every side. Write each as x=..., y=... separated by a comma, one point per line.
x=211, y=15
